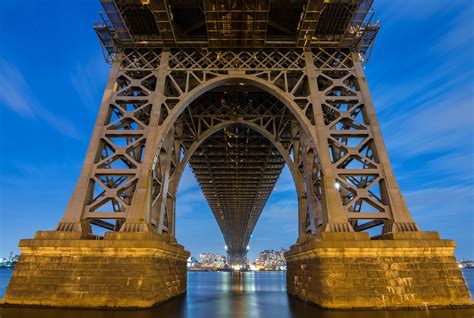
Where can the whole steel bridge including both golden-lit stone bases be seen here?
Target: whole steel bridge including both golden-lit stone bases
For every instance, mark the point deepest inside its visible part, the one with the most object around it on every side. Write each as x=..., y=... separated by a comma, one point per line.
x=238, y=89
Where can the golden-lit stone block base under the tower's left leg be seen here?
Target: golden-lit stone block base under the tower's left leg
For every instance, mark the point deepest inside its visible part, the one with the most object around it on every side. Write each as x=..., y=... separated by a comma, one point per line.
x=61, y=269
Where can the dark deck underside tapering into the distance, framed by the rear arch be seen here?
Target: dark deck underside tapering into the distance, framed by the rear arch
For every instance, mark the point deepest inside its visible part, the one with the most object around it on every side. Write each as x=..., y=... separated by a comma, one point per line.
x=237, y=169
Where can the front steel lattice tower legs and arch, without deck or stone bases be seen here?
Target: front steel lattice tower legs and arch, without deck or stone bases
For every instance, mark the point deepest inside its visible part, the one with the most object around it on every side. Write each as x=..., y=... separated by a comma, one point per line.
x=340, y=151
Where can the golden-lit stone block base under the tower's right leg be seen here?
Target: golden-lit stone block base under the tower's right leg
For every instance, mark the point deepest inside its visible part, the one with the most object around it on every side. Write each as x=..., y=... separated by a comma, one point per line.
x=400, y=270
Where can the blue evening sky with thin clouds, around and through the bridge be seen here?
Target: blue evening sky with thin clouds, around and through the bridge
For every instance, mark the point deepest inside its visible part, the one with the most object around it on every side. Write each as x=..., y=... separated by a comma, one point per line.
x=421, y=76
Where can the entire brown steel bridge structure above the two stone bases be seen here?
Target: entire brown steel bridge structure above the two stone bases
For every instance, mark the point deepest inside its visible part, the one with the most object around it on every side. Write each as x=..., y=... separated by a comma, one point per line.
x=255, y=96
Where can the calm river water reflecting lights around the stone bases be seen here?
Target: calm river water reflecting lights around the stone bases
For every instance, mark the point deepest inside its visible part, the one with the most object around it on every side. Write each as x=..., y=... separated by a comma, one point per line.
x=215, y=294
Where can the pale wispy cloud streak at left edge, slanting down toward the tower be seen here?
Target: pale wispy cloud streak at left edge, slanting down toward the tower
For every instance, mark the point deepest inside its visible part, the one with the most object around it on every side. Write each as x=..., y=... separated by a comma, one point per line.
x=17, y=95
